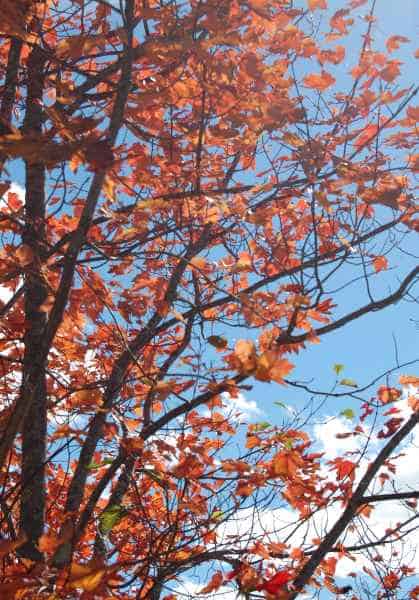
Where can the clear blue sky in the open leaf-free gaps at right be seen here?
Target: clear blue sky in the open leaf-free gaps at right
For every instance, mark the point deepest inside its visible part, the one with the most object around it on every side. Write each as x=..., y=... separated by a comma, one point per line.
x=367, y=347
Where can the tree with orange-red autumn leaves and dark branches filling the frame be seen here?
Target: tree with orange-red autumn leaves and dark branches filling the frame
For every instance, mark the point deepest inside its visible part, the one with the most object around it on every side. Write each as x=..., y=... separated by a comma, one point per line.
x=194, y=172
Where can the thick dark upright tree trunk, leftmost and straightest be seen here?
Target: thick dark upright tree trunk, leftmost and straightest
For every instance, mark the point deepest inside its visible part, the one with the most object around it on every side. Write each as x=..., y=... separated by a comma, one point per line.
x=33, y=387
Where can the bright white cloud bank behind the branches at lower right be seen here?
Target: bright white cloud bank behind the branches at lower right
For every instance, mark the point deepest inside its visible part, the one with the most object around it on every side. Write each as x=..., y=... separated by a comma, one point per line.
x=277, y=525
